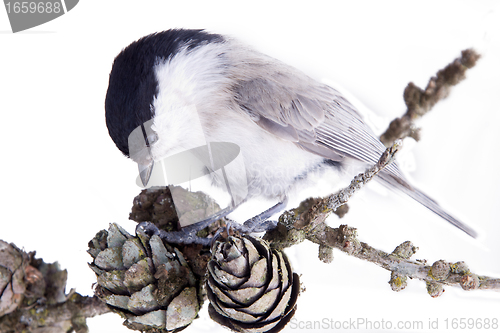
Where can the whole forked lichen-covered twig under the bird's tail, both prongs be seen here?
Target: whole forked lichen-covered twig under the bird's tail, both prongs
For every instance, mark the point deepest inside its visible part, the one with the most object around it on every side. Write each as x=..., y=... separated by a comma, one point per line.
x=308, y=222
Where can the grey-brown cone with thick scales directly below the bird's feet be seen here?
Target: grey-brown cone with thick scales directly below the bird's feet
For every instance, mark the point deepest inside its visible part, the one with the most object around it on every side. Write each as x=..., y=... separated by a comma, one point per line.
x=145, y=280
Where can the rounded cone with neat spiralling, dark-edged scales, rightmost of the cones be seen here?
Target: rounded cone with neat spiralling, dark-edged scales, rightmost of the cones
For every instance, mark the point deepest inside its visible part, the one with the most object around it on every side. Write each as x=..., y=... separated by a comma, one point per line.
x=251, y=287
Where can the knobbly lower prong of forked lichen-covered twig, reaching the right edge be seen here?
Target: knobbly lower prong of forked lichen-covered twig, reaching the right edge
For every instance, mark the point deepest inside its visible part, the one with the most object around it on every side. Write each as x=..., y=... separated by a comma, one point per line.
x=345, y=239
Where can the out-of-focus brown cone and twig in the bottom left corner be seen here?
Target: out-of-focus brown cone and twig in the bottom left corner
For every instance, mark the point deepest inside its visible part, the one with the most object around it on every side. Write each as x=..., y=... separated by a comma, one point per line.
x=33, y=299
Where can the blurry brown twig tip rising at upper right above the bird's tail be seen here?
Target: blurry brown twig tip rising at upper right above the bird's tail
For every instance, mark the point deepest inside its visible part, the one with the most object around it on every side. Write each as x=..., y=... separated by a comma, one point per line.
x=420, y=101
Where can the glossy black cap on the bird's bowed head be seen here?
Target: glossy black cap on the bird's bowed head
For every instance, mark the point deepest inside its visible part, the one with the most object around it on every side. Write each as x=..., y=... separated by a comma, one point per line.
x=133, y=85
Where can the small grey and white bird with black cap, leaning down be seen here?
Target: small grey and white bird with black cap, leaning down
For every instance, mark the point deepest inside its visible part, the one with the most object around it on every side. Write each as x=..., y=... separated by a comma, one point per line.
x=288, y=127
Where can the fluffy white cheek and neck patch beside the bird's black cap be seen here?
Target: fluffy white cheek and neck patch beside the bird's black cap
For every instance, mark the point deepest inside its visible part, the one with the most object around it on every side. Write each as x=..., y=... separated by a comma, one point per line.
x=186, y=81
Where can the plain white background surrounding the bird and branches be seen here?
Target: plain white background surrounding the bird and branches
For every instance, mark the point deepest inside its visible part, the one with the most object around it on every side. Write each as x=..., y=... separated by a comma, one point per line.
x=63, y=179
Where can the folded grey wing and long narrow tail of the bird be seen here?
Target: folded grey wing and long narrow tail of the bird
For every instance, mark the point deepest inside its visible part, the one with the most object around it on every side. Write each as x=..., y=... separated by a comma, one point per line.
x=319, y=119
